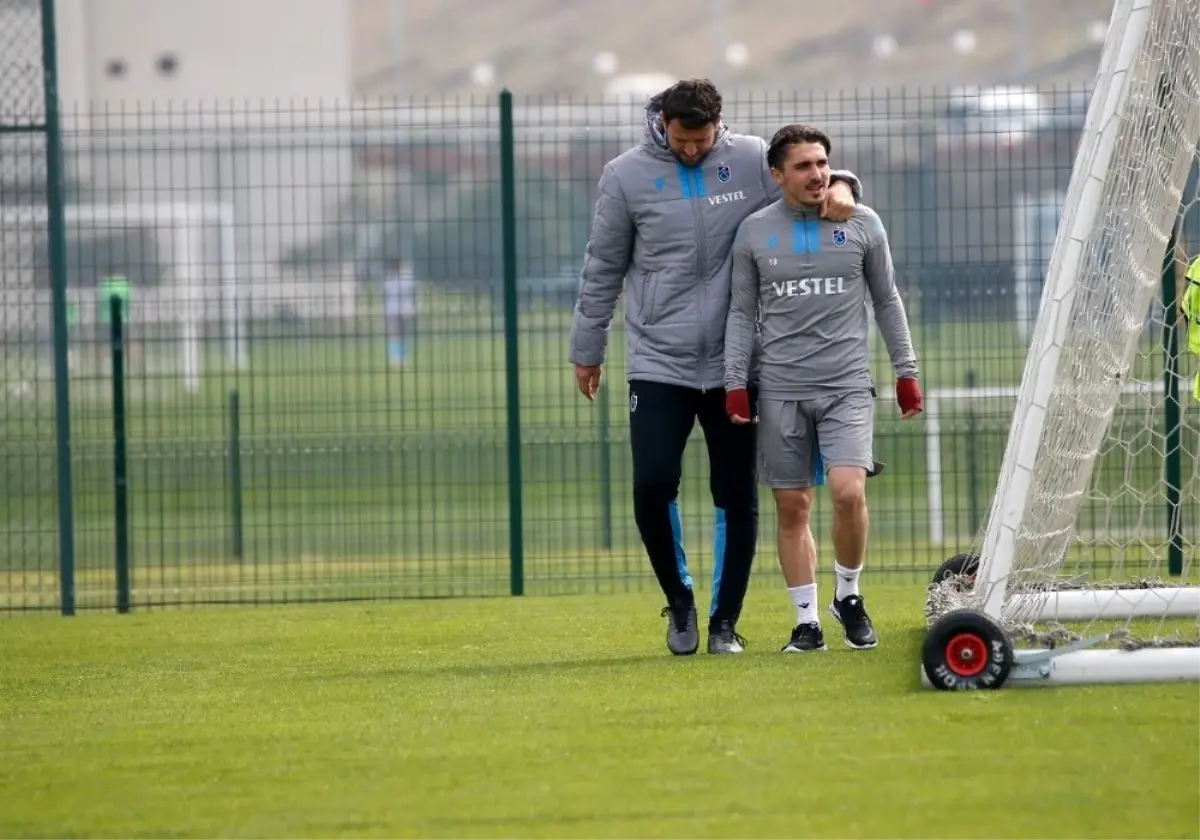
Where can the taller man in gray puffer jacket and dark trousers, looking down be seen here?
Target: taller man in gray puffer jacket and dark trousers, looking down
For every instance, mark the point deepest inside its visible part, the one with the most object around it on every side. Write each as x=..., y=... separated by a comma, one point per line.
x=665, y=219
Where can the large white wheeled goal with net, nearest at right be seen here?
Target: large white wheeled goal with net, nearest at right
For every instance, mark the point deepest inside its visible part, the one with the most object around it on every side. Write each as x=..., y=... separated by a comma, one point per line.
x=1082, y=571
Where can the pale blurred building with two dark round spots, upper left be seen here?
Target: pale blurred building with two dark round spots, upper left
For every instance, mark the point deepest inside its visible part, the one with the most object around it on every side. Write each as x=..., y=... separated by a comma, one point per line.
x=196, y=135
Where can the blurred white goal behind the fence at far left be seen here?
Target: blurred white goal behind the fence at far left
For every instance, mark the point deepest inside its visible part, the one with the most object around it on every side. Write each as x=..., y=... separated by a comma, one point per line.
x=195, y=250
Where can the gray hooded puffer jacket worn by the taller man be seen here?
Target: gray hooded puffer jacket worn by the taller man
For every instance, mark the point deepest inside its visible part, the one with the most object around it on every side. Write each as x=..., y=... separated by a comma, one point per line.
x=669, y=230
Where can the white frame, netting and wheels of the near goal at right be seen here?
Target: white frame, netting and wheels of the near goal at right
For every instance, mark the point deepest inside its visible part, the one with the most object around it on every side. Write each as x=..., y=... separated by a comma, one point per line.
x=1138, y=148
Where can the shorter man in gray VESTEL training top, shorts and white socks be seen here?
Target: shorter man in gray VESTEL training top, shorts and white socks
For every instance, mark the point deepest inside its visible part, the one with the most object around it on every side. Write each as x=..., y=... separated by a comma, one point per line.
x=805, y=284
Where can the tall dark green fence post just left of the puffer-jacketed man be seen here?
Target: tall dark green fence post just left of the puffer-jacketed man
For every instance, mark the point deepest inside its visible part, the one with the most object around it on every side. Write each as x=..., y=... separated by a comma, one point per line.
x=512, y=357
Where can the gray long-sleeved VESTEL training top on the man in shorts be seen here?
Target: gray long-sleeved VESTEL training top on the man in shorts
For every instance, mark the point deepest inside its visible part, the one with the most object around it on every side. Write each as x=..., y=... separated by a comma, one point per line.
x=809, y=280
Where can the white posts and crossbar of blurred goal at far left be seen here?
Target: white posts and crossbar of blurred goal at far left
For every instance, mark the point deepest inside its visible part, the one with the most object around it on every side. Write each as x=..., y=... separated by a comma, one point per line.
x=185, y=224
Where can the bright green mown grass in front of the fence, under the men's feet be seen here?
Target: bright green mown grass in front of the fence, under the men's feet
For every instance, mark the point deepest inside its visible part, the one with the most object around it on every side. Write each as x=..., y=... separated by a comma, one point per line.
x=557, y=717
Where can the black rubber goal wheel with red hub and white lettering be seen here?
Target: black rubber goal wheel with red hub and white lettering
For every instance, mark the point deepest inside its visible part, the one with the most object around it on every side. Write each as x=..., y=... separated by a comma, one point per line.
x=965, y=651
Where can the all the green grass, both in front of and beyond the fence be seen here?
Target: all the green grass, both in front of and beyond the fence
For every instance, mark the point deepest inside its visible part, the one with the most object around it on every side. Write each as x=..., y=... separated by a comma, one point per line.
x=499, y=717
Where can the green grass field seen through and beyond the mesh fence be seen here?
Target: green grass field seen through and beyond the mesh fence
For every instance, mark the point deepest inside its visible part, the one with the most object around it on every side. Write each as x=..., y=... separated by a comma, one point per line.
x=358, y=481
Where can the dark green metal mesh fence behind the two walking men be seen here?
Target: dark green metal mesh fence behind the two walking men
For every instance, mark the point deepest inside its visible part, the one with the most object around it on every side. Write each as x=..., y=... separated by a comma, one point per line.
x=280, y=441
